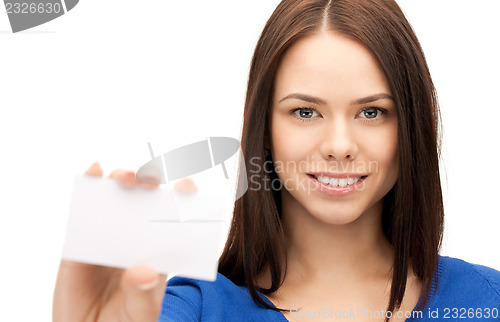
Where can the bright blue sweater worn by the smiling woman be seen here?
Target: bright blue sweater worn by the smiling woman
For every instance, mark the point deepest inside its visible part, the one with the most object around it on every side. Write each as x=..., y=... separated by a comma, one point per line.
x=465, y=292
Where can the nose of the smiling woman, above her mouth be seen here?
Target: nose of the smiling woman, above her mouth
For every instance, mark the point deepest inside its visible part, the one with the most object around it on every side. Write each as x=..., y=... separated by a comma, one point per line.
x=338, y=141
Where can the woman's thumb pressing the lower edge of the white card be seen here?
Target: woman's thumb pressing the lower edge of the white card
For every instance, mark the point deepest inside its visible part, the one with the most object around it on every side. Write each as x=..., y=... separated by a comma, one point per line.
x=143, y=291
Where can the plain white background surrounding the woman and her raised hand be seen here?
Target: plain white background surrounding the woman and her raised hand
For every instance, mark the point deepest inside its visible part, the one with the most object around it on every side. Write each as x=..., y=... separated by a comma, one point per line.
x=99, y=82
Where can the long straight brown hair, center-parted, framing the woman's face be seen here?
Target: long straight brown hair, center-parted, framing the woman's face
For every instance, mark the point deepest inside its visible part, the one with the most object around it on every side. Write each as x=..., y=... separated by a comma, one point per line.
x=413, y=215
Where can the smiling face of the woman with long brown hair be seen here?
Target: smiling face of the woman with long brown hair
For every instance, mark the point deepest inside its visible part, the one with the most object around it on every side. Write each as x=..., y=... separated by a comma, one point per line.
x=333, y=116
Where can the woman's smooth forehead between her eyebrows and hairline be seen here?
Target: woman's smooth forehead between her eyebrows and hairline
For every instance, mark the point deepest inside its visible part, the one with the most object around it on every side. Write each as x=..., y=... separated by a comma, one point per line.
x=330, y=66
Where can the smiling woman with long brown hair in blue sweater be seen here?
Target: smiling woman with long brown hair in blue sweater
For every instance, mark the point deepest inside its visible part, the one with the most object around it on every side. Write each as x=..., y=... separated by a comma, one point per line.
x=343, y=217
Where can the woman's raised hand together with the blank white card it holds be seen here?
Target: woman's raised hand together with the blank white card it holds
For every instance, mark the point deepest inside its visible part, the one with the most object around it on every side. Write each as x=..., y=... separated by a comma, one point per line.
x=117, y=223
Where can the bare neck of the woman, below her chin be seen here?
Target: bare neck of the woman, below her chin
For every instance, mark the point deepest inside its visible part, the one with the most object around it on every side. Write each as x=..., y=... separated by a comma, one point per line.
x=326, y=252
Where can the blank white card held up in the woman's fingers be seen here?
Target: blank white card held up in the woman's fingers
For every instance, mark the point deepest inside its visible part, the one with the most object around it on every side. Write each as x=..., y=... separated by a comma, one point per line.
x=121, y=227
